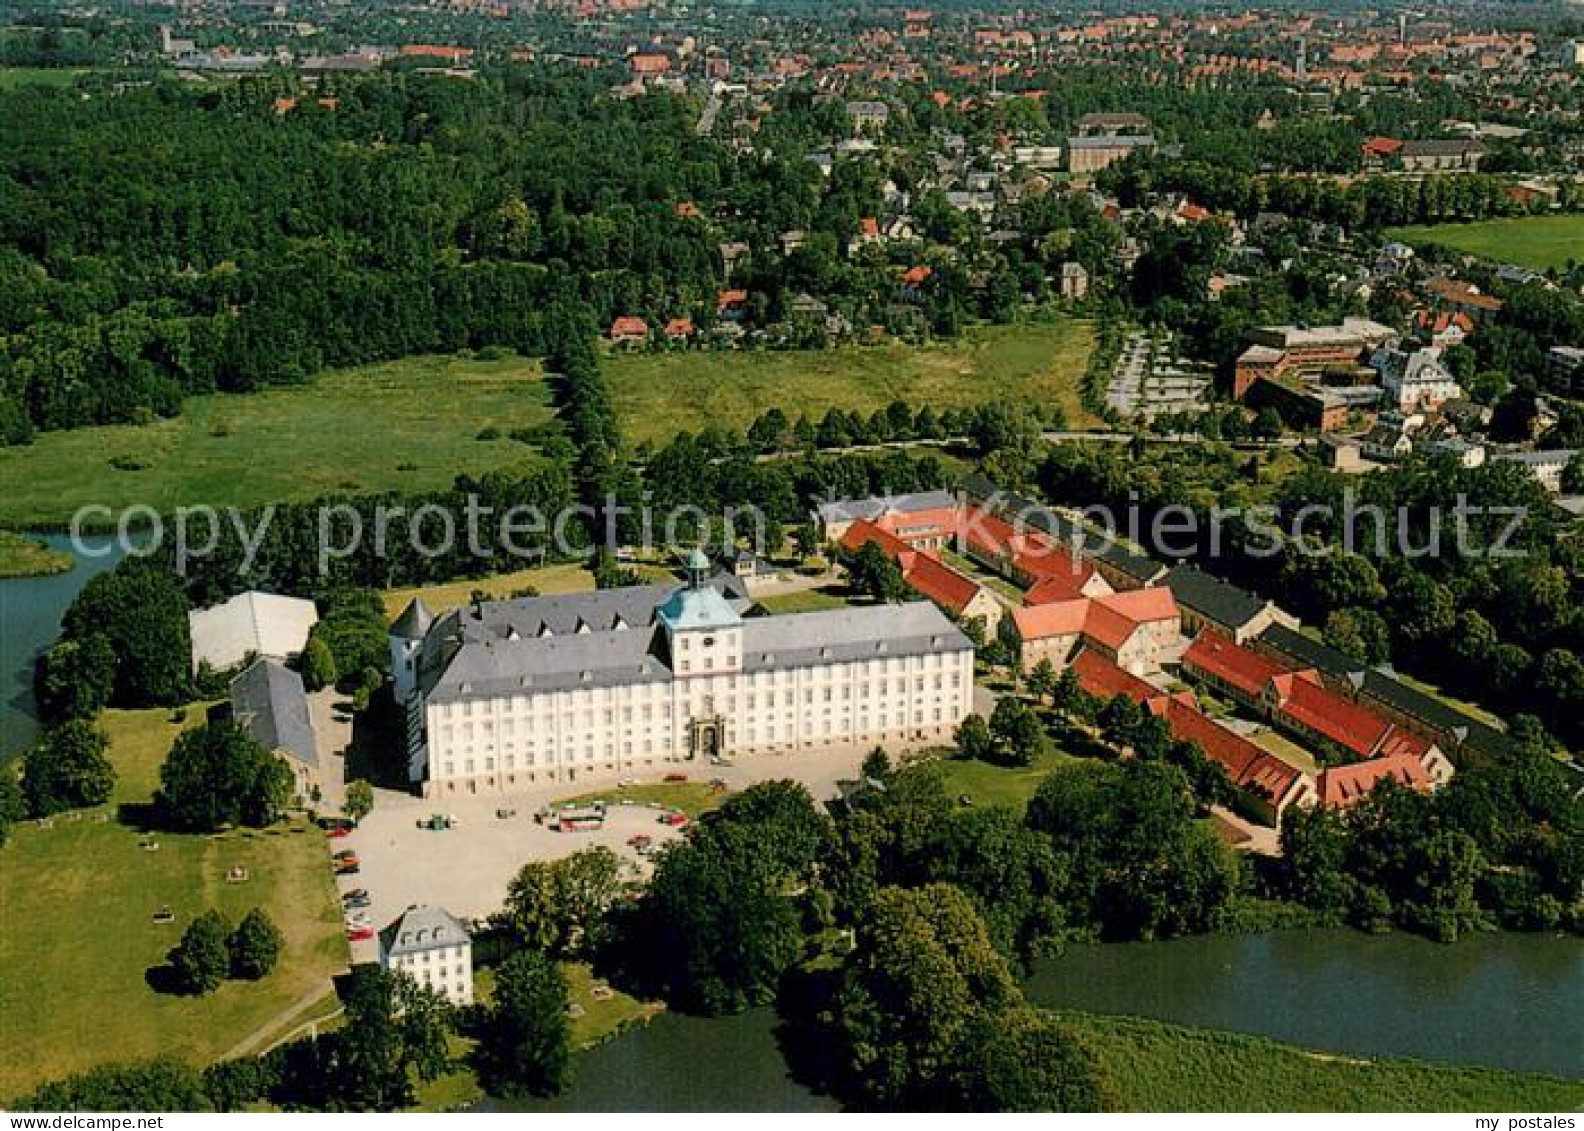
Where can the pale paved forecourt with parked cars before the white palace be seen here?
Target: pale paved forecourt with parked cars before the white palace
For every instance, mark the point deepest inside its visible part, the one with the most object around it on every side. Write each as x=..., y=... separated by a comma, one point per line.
x=468, y=869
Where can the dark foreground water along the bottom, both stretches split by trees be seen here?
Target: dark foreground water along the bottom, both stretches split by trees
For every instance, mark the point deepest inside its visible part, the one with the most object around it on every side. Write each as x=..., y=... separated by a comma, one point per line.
x=1501, y=1000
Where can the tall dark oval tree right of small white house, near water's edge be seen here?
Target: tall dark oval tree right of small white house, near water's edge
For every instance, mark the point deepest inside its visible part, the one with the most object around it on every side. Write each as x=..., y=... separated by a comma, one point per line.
x=525, y=1042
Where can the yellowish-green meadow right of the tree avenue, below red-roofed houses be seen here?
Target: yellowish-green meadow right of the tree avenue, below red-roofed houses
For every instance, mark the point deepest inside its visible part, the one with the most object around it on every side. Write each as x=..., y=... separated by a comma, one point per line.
x=660, y=395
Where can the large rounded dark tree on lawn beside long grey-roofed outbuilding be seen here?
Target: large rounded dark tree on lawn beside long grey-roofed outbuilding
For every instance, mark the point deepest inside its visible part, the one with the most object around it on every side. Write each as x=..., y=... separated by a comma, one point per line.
x=216, y=775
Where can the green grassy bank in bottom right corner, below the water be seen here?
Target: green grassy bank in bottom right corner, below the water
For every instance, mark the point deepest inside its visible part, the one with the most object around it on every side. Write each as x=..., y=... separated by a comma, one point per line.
x=1167, y=1068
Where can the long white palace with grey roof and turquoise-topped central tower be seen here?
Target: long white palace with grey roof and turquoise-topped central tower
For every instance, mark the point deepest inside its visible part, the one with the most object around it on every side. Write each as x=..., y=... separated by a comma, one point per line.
x=587, y=687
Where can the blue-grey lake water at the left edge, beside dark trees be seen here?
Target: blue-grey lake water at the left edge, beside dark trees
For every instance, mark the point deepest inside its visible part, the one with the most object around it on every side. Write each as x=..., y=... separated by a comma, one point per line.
x=31, y=611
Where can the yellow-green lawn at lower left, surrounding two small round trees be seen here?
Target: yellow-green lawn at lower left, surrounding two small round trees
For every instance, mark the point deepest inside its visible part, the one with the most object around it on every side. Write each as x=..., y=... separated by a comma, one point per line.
x=78, y=940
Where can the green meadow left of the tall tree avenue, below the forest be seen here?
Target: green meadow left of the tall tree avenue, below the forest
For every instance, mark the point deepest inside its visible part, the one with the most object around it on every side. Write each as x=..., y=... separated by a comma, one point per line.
x=409, y=425
